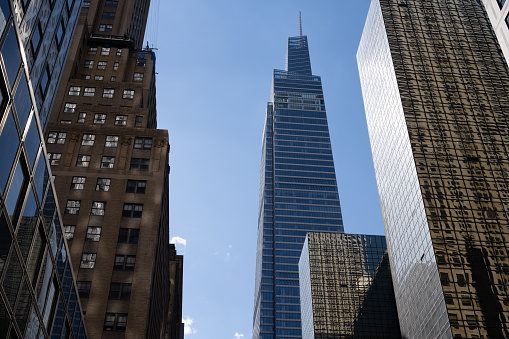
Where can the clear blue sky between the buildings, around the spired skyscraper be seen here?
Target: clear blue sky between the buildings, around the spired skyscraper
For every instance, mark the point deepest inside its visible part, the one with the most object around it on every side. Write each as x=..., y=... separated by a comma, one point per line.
x=214, y=64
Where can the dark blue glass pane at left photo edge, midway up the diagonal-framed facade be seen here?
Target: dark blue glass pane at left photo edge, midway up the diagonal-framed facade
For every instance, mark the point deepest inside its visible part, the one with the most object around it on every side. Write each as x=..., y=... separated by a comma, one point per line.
x=9, y=140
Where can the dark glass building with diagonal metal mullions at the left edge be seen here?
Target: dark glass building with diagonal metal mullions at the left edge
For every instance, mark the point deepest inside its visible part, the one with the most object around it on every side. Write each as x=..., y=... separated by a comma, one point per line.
x=38, y=295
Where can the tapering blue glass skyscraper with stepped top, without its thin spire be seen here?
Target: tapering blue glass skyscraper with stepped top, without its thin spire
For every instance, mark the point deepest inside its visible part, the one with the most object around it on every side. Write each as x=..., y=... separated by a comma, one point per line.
x=298, y=191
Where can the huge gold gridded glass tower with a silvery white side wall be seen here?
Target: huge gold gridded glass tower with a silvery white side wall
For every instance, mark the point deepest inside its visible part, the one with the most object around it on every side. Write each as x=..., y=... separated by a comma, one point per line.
x=434, y=82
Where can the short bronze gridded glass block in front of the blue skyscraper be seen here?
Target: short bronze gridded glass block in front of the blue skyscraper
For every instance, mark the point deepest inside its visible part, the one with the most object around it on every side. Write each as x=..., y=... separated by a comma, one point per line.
x=346, y=287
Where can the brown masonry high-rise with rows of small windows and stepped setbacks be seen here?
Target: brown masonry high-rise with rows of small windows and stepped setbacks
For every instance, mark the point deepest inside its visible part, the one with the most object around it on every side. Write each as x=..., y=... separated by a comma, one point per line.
x=111, y=167
